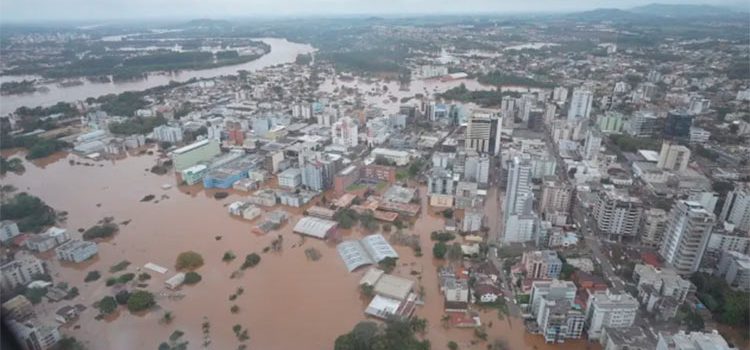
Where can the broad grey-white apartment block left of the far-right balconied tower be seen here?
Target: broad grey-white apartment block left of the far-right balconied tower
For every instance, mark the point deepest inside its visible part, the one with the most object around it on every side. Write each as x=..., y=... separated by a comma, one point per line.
x=617, y=214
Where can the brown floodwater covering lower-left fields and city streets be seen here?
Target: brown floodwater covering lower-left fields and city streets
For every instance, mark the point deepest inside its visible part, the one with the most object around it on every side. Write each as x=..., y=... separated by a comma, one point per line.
x=288, y=302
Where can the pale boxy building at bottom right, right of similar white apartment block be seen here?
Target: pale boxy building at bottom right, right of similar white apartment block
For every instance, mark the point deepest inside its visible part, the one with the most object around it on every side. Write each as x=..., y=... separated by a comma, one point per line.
x=605, y=309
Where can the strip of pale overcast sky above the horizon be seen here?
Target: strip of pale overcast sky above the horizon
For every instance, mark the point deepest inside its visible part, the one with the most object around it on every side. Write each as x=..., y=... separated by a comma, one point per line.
x=31, y=10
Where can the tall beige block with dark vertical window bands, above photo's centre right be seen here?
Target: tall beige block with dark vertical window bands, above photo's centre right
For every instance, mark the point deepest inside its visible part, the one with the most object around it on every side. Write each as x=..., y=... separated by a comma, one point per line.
x=483, y=132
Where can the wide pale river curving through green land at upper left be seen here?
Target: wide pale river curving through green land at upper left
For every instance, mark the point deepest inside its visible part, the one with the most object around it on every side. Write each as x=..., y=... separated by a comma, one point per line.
x=282, y=51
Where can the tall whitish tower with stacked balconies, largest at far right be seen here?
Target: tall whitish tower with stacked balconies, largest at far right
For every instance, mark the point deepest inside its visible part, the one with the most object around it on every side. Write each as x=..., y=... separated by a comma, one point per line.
x=686, y=236
